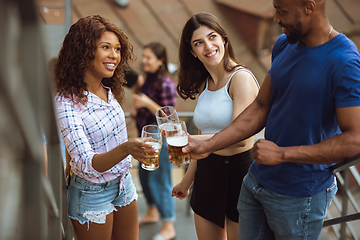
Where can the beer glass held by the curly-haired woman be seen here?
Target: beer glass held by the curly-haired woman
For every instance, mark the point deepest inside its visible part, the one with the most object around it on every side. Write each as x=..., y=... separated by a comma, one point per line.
x=151, y=135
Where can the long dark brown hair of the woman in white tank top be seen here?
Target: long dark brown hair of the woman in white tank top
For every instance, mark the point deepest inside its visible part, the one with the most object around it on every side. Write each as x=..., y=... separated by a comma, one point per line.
x=192, y=72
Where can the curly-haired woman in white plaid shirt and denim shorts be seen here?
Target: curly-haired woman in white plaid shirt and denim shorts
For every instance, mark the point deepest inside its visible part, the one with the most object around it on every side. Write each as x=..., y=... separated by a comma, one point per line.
x=89, y=86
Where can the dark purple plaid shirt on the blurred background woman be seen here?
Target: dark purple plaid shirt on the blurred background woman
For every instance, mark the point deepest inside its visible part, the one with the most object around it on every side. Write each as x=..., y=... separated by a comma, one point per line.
x=162, y=91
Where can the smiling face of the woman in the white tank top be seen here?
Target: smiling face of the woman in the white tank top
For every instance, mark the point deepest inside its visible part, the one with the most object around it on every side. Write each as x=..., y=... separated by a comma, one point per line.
x=208, y=46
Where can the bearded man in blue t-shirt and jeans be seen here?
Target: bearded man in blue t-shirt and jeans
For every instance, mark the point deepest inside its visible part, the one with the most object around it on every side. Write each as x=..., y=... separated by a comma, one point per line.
x=309, y=103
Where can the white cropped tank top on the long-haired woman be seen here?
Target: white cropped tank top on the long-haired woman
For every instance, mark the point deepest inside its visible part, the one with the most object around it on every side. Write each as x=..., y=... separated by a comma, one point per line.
x=214, y=109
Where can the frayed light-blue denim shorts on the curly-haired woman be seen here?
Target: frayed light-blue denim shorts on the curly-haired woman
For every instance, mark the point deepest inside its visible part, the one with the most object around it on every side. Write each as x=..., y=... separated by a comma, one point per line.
x=91, y=202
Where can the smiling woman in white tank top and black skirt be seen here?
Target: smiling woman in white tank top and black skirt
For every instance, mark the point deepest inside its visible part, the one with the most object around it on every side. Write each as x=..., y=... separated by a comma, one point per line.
x=209, y=70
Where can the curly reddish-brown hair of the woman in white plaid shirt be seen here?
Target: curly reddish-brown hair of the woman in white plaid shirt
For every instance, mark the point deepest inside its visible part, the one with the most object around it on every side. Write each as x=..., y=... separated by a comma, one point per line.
x=78, y=52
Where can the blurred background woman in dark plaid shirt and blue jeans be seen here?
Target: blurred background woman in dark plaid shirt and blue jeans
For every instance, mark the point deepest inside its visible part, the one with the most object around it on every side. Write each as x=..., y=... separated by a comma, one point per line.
x=158, y=90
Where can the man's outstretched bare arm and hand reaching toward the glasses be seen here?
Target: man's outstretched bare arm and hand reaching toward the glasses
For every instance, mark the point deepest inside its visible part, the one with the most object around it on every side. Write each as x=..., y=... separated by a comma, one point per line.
x=249, y=122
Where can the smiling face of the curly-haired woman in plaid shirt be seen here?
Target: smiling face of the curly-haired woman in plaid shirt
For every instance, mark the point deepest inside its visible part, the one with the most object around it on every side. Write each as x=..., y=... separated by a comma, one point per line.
x=107, y=56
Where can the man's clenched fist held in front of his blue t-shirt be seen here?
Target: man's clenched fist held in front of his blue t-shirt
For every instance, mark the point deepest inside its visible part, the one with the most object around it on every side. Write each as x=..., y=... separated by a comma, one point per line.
x=267, y=152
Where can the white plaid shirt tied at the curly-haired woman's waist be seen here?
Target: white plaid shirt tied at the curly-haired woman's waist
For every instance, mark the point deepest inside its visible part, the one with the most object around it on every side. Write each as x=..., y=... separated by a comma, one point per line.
x=97, y=127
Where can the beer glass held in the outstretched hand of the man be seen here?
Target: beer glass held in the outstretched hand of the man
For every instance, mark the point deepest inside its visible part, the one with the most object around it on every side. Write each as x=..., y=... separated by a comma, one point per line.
x=176, y=138
